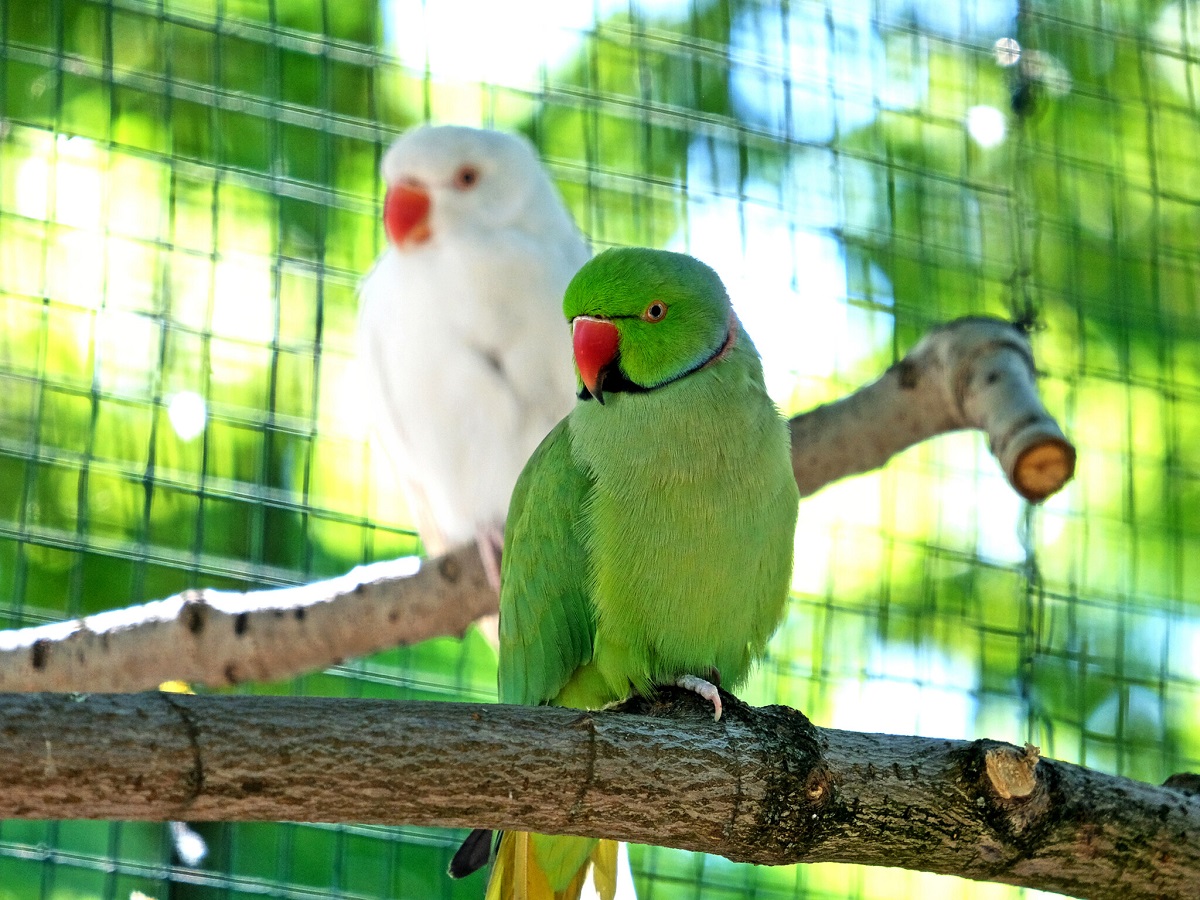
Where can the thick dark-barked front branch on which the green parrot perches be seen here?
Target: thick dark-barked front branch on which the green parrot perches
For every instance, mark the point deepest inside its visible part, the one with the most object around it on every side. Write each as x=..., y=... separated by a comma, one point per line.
x=763, y=785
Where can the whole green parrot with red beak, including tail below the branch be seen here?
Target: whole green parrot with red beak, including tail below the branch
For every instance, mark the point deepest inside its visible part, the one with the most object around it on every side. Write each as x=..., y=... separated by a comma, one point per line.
x=650, y=537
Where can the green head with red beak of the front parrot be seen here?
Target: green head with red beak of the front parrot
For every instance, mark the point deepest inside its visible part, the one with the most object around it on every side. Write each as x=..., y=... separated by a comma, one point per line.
x=644, y=319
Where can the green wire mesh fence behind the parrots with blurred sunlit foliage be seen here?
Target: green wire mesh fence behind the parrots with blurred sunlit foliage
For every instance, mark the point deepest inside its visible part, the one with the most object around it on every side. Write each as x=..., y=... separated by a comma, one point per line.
x=189, y=196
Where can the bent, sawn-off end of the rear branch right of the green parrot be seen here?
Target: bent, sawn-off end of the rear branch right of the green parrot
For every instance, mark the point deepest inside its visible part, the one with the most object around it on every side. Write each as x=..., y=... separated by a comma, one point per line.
x=971, y=374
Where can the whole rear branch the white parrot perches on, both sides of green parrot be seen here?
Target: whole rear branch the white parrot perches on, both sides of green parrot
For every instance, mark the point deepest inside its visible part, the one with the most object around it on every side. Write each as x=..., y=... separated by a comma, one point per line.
x=971, y=374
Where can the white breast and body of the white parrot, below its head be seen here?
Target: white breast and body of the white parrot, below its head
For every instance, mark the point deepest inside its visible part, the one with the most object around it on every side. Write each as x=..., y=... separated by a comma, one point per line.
x=469, y=356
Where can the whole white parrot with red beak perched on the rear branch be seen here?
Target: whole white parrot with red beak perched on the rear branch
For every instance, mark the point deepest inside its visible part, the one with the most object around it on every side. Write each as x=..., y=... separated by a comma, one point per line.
x=461, y=335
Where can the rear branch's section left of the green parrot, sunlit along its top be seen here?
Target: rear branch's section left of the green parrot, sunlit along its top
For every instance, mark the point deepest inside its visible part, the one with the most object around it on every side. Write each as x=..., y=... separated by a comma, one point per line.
x=221, y=638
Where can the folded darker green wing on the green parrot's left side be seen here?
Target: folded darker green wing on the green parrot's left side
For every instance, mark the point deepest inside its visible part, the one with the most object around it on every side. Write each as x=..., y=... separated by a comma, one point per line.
x=548, y=623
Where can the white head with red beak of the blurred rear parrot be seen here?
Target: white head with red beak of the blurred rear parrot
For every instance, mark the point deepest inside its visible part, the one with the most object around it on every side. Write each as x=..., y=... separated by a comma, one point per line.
x=457, y=179
